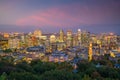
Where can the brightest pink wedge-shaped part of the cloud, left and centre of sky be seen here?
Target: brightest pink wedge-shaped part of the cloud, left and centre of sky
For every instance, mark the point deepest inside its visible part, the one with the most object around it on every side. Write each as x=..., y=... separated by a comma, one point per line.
x=51, y=17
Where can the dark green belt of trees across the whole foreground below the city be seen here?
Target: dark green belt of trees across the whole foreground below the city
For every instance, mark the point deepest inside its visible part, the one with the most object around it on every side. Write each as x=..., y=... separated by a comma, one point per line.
x=38, y=70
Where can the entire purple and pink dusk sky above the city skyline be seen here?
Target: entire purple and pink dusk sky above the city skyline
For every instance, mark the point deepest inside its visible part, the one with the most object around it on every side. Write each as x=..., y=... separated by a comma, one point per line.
x=52, y=15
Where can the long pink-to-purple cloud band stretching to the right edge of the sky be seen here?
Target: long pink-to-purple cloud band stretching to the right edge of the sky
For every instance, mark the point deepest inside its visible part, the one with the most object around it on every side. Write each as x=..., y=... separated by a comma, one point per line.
x=72, y=15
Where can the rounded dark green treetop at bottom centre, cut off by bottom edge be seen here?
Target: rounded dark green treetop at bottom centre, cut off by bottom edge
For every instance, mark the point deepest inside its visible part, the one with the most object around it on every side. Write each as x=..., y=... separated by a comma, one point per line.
x=59, y=75
